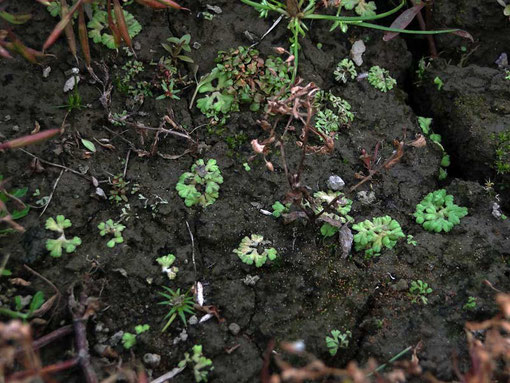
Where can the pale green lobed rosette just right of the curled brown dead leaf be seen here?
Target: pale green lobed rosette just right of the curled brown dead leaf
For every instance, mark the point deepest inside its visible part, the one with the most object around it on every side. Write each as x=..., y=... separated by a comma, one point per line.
x=374, y=235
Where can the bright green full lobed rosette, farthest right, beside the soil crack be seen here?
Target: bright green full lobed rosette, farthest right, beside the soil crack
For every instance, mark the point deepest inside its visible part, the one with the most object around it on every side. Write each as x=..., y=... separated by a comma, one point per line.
x=437, y=212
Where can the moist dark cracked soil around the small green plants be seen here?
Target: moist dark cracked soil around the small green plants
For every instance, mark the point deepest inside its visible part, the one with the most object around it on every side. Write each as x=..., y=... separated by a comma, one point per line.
x=311, y=289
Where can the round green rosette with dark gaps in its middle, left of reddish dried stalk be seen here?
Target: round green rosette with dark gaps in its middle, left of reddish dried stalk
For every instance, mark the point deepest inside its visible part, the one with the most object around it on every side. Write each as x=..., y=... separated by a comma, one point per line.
x=201, y=185
